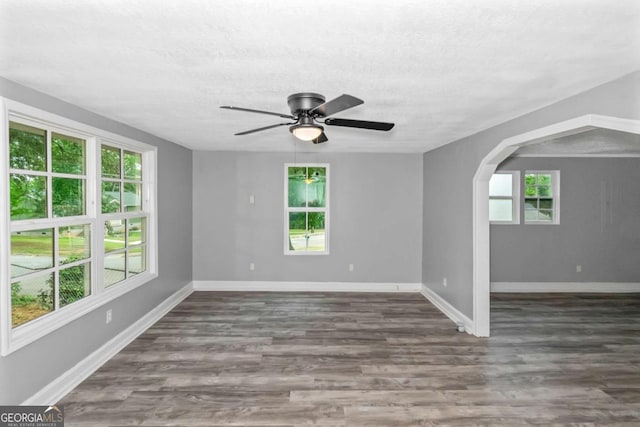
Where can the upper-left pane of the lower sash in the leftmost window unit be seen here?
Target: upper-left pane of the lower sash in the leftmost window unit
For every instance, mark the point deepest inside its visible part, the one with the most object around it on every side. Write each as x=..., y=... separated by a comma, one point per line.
x=31, y=251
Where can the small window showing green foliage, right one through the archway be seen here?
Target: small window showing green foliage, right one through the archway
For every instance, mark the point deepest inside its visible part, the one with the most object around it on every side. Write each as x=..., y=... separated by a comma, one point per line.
x=542, y=197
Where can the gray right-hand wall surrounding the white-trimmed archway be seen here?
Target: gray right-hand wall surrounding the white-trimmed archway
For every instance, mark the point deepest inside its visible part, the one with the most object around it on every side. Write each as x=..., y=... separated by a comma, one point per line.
x=448, y=184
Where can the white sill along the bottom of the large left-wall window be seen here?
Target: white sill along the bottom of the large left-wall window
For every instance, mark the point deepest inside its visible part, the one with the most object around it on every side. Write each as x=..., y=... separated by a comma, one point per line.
x=38, y=328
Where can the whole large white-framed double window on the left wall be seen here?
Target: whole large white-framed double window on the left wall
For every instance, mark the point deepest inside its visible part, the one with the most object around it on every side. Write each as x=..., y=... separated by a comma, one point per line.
x=79, y=225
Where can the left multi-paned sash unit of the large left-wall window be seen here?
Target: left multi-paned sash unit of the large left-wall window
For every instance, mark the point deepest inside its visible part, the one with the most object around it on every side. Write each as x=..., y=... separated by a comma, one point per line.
x=51, y=258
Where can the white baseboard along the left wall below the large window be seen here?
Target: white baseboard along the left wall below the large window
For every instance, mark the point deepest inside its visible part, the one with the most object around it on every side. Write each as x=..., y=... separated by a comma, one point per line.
x=61, y=386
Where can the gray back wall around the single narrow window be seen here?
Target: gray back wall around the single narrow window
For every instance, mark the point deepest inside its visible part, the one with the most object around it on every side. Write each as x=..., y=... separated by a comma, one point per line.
x=375, y=213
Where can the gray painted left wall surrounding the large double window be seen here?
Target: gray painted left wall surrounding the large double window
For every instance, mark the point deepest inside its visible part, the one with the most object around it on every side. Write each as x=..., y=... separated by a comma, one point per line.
x=30, y=368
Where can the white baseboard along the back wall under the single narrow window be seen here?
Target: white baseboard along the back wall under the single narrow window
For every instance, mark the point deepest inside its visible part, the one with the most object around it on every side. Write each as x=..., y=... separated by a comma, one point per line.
x=275, y=286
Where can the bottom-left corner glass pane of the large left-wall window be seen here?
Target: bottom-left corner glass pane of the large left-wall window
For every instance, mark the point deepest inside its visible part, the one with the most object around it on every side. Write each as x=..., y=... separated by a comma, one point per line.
x=31, y=298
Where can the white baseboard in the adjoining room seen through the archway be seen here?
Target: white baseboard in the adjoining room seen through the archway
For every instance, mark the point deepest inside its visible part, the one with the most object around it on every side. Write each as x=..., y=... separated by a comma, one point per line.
x=571, y=287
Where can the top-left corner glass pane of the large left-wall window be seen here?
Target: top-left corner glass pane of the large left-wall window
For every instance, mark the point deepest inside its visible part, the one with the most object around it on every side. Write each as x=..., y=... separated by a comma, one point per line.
x=27, y=147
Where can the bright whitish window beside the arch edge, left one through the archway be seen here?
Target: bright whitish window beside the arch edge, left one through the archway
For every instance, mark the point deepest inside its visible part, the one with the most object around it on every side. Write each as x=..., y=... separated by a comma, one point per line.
x=504, y=207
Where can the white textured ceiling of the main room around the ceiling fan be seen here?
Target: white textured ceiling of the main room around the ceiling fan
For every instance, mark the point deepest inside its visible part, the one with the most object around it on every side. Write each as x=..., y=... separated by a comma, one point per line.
x=440, y=70
